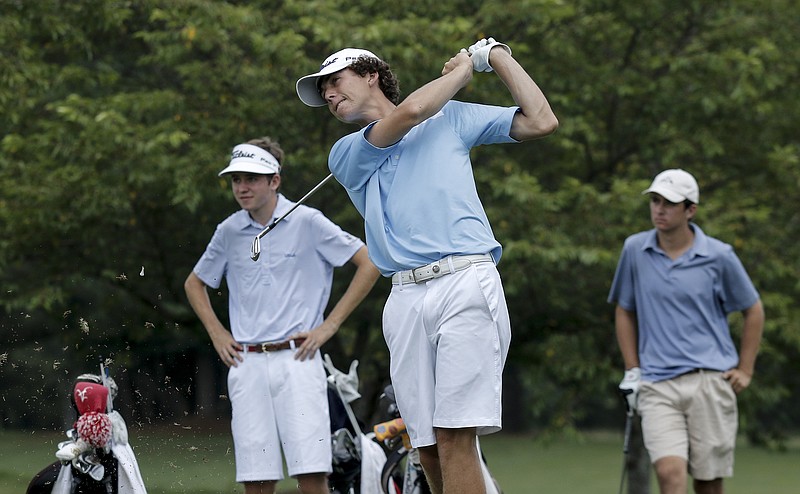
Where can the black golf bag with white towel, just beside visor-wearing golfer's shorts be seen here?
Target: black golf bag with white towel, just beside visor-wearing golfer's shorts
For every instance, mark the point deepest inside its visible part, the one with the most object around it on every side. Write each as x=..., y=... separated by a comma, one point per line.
x=357, y=458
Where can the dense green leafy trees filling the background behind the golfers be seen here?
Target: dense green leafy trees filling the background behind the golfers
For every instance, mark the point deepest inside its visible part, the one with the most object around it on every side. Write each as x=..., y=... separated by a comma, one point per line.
x=117, y=116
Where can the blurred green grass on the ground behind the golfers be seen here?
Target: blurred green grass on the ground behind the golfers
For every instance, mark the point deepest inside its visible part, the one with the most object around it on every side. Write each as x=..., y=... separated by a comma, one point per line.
x=200, y=461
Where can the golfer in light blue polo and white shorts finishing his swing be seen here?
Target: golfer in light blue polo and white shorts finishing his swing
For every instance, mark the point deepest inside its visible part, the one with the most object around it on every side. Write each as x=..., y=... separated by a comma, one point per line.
x=408, y=172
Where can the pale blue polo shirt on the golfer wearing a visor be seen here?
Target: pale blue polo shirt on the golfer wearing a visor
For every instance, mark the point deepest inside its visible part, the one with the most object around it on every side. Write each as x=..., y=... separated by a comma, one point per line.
x=287, y=289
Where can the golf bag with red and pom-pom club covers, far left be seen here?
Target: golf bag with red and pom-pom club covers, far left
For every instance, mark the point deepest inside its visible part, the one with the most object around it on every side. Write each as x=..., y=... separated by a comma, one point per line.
x=96, y=458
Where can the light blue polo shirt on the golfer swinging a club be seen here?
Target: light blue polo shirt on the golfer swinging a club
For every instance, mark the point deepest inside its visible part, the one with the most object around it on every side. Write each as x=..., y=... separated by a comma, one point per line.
x=418, y=196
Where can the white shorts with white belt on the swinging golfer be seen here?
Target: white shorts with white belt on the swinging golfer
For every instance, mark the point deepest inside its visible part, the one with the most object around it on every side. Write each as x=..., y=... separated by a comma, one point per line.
x=448, y=340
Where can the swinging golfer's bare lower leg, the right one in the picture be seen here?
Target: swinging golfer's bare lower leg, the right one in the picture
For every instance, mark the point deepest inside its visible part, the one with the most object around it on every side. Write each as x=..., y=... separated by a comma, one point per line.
x=459, y=461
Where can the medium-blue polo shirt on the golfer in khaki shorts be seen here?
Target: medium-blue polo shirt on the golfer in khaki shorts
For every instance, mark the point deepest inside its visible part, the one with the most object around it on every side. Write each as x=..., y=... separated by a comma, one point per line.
x=682, y=306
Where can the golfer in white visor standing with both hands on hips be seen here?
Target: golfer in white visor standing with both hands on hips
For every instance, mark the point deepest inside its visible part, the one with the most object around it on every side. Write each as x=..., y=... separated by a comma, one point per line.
x=276, y=381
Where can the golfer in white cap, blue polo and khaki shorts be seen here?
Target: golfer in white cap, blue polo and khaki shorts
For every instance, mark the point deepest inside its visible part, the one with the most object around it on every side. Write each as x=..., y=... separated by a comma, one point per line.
x=673, y=289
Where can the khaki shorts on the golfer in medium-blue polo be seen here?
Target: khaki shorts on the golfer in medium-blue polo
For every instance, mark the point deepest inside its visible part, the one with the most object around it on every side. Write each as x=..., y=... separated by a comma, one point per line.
x=693, y=416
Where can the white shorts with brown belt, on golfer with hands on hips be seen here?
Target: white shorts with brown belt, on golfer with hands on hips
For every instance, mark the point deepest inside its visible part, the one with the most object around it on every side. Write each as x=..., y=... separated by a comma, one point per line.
x=279, y=403
